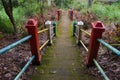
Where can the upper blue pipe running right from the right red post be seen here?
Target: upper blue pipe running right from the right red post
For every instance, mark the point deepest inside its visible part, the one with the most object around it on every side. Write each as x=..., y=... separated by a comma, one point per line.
x=109, y=47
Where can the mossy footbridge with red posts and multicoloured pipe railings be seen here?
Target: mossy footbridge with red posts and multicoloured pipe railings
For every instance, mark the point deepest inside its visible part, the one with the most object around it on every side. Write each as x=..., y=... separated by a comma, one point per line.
x=64, y=60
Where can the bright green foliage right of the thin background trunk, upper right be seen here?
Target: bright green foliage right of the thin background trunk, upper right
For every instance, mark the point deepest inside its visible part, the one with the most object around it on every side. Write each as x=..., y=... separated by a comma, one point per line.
x=106, y=12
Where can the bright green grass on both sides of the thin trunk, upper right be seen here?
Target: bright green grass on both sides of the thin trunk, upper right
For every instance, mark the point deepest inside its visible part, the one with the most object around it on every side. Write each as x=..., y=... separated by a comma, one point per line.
x=105, y=12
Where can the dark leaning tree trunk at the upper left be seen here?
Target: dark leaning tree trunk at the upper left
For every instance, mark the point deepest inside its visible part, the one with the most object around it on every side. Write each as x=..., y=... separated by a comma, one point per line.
x=8, y=7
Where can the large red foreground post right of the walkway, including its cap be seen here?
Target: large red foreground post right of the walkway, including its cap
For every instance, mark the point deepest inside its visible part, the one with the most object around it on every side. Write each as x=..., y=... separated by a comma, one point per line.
x=97, y=30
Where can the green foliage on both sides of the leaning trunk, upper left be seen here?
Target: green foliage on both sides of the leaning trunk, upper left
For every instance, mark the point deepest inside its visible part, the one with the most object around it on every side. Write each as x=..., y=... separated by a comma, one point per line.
x=21, y=11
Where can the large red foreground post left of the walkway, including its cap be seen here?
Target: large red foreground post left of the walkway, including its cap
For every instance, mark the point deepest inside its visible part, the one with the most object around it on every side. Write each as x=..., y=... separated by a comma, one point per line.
x=34, y=44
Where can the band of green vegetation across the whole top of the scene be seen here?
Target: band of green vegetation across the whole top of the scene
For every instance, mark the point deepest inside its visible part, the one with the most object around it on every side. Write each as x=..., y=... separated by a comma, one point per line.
x=23, y=9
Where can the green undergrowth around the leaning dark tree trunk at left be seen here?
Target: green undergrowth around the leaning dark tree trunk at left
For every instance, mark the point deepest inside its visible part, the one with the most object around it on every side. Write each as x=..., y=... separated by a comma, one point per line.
x=21, y=13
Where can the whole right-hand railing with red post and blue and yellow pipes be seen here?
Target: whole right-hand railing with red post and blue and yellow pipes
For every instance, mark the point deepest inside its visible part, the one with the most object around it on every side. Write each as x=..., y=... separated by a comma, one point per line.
x=96, y=36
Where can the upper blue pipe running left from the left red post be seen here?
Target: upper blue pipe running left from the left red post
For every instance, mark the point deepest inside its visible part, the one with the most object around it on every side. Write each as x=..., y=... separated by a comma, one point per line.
x=7, y=48
